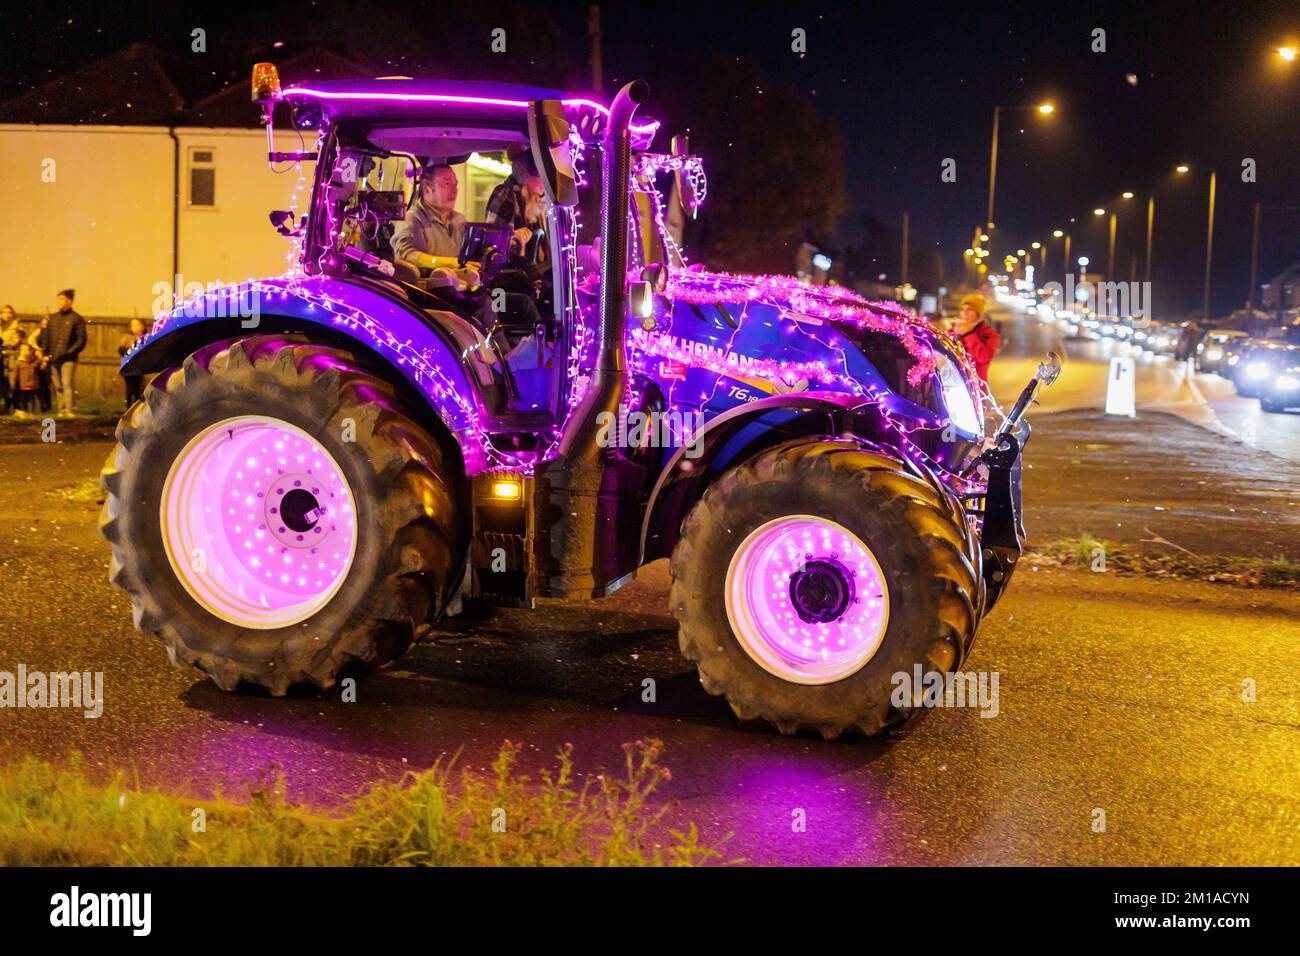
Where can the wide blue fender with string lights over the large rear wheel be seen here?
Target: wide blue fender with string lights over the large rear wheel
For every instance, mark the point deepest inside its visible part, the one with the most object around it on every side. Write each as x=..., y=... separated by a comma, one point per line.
x=415, y=356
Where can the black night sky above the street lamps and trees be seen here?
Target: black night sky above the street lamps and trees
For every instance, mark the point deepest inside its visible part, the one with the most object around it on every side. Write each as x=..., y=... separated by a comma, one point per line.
x=912, y=84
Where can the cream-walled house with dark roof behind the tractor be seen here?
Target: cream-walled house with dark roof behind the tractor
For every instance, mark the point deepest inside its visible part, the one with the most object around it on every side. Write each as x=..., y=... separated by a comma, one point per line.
x=133, y=171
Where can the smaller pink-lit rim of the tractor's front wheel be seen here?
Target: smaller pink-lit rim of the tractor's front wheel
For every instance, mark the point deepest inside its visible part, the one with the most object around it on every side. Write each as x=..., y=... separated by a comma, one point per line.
x=807, y=600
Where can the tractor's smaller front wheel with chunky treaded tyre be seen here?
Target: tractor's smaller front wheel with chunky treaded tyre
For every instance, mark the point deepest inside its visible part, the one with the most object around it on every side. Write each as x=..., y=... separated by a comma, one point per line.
x=917, y=539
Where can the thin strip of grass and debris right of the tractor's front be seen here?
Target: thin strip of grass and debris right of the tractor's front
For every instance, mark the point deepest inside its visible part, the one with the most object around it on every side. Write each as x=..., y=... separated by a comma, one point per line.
x=1098, y=555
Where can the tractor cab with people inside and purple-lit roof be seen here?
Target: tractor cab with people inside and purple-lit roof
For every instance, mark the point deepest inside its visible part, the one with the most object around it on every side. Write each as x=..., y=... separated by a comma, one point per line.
x=502, y=284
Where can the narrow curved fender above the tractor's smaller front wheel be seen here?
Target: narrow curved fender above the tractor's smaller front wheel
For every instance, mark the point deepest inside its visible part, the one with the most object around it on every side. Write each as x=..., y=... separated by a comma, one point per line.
x=742, y=432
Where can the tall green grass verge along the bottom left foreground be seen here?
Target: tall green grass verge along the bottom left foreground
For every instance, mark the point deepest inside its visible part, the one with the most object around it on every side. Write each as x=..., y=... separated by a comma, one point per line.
x=437, y=817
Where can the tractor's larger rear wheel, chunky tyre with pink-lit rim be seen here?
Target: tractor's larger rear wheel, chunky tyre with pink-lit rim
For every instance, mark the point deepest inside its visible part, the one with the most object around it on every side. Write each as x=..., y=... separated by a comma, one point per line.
x=276, y=517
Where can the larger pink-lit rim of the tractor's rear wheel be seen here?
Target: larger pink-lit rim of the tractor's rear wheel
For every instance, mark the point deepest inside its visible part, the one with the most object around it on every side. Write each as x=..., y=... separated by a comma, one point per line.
x=258, y=522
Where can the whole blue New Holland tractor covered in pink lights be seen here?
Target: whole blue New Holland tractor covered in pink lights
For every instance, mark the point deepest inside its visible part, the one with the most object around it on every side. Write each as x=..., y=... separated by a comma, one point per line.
x=328, y=460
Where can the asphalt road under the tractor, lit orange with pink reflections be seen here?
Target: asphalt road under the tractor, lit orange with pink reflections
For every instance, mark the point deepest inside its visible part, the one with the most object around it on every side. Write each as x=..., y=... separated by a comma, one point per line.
x=1121, y=695
